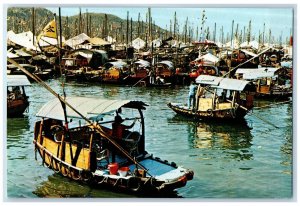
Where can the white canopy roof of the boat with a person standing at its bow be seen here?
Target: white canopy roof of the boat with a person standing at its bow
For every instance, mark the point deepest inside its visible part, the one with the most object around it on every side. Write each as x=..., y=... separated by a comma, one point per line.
x=222, y=83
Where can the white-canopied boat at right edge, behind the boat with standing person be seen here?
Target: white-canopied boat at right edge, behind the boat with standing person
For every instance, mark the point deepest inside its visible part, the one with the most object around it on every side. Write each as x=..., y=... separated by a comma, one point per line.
x=271, y=82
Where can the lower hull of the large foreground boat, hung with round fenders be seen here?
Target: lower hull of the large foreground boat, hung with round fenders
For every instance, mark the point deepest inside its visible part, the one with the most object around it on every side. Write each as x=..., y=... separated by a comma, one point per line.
x=102, y=179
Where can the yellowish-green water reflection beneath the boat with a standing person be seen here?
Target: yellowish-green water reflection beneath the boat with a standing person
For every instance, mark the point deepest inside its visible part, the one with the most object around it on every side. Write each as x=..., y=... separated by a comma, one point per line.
x=234, y=139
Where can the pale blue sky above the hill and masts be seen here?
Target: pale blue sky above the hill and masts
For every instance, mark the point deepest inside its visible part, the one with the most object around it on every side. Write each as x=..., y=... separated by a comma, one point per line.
x=278, y=18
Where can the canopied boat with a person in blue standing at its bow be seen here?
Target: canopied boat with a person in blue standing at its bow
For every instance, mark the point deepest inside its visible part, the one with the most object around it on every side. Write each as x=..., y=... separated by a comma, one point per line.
x=219, y=98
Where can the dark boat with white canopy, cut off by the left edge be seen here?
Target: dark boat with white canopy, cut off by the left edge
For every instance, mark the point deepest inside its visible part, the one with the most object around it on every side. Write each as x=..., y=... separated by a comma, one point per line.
x=17, y=100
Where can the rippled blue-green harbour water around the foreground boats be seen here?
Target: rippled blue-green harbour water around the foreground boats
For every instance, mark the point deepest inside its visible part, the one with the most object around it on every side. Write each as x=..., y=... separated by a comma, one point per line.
x=250, y=160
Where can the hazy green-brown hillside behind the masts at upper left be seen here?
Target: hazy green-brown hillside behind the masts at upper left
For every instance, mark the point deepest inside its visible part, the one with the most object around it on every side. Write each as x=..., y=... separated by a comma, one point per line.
x=93, y=24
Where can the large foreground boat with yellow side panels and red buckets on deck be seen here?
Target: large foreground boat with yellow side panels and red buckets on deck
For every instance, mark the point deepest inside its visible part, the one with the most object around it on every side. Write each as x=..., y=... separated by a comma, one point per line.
x=92, y=154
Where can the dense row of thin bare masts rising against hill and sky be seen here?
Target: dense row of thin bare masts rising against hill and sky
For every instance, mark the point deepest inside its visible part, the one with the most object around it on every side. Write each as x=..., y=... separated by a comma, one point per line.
x=148, y=31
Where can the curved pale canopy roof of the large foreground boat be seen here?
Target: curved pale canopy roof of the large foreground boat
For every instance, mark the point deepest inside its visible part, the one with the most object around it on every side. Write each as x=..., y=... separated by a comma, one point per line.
x=91, y=108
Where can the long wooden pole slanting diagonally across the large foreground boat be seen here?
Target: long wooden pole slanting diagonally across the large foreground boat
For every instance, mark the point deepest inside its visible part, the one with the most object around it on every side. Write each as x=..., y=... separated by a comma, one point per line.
x=95, y=125
